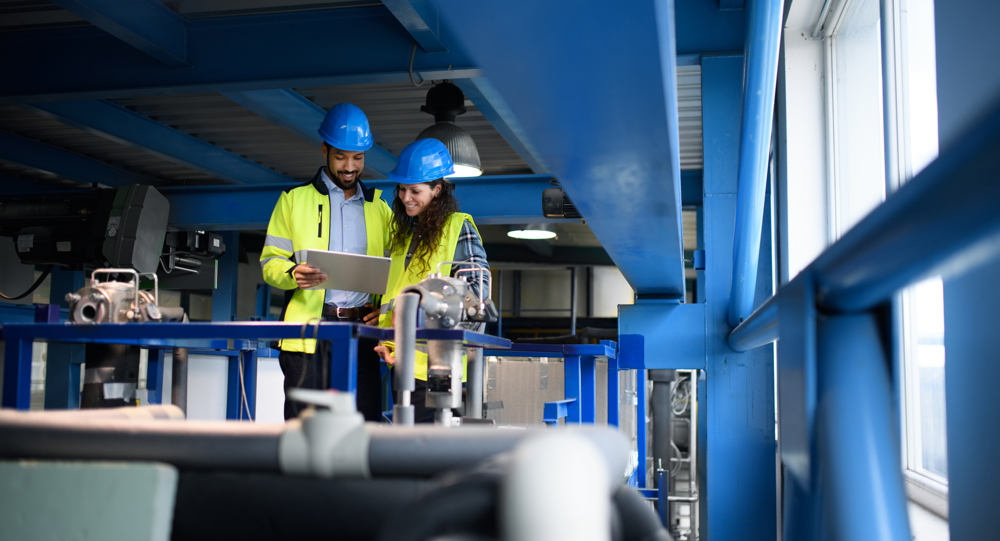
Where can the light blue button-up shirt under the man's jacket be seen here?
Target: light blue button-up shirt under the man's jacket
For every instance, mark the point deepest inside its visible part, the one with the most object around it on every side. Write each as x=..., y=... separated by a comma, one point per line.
x=347, y=234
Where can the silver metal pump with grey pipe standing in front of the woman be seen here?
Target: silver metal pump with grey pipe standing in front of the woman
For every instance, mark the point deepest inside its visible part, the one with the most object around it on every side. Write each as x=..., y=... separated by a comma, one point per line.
x=448, y=303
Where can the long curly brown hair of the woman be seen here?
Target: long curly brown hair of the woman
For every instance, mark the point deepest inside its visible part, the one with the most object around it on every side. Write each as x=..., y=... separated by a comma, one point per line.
x=426, y=227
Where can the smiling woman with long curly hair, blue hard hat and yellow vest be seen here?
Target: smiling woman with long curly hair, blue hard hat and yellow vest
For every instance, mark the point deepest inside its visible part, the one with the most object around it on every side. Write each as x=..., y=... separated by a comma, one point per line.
x=426, y=229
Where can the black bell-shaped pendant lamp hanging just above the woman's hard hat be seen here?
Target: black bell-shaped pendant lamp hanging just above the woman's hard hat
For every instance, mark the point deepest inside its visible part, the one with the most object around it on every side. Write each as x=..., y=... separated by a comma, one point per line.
x=446, y=101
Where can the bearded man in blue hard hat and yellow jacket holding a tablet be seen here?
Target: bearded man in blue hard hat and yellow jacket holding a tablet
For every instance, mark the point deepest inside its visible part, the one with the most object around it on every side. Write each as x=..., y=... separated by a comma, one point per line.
x=334, y=211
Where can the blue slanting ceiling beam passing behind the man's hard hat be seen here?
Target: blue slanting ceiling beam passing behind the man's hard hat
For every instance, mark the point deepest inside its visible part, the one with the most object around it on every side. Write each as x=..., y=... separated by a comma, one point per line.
x=292, y=111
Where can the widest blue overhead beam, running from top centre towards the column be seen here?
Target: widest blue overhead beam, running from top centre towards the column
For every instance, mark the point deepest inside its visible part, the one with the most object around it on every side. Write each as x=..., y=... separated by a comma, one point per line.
x=596, y=94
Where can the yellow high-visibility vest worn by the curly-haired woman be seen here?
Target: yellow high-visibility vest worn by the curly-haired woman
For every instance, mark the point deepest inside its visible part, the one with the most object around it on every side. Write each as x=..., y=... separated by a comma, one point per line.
x=400, y=278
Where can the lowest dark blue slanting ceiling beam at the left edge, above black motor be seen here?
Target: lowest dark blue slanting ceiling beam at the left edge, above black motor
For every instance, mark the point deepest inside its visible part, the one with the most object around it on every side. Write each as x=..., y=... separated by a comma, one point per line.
x=63, y=163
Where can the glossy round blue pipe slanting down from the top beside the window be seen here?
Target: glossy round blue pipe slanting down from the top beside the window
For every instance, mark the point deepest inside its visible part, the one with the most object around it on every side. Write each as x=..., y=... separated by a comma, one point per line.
x=760, y=68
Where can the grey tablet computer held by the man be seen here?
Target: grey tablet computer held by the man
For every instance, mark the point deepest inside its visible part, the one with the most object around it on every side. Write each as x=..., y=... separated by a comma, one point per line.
x=351, y=272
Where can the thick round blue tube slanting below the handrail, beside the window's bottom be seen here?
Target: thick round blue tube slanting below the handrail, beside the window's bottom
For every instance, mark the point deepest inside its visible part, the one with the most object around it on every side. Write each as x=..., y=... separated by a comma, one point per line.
x=859, y=454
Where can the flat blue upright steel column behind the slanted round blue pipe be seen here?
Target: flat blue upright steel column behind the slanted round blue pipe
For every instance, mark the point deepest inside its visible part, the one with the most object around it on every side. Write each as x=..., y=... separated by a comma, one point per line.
x=737, y=457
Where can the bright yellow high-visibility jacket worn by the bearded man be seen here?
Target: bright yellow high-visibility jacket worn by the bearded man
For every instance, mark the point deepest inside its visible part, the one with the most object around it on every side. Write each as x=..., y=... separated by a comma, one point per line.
x=300, y=222
